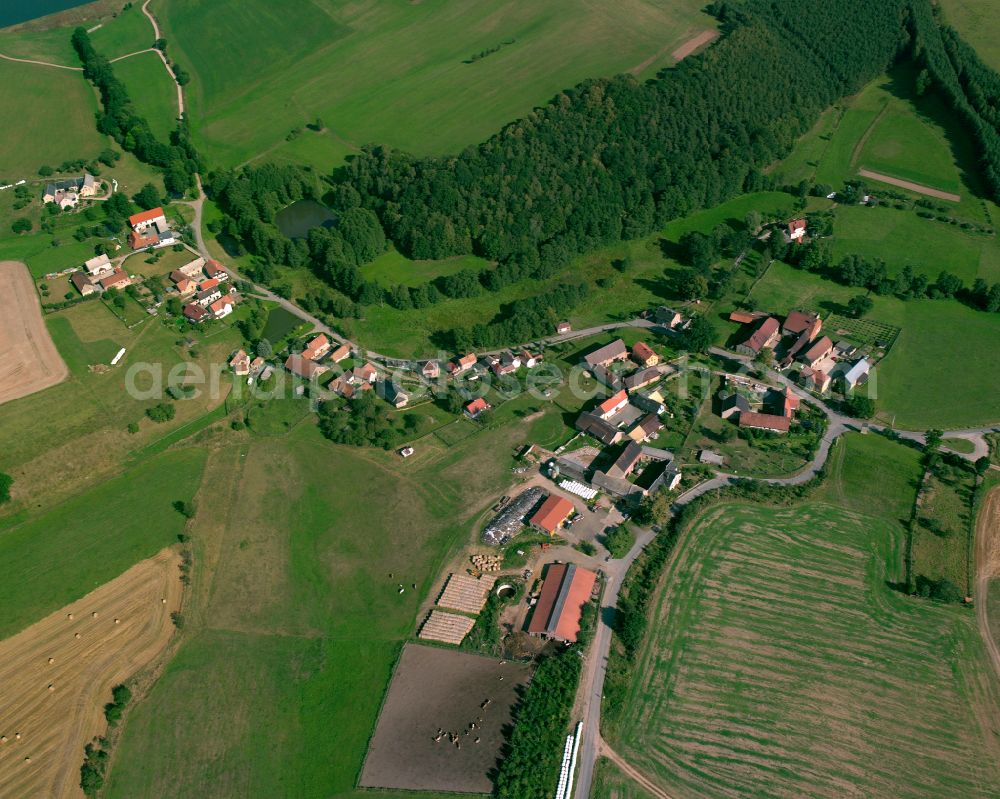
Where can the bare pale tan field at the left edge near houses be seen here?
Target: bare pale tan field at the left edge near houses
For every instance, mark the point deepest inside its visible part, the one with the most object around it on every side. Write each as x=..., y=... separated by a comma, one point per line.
x=29, y=360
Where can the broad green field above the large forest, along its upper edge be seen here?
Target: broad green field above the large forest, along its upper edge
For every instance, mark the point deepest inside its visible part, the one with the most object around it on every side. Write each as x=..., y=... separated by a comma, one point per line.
x=394, y=72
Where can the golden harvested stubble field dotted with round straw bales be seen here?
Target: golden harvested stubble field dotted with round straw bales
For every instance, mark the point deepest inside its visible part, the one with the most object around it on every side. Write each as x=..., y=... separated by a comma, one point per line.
x=56, y=676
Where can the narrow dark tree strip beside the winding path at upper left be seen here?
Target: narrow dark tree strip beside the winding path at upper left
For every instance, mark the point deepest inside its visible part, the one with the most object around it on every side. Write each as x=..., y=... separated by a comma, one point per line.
x=119, y=119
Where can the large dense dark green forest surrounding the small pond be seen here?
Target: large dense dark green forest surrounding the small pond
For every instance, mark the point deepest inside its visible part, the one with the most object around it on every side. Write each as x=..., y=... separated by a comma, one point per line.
x=608, y=160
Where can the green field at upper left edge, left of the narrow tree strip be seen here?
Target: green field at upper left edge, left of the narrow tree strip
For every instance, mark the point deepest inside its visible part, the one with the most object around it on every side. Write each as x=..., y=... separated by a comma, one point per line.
x=55, y=119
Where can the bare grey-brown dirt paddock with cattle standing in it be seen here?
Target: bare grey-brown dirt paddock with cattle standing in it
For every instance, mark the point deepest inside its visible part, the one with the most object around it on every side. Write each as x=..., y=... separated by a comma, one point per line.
x=438, y=693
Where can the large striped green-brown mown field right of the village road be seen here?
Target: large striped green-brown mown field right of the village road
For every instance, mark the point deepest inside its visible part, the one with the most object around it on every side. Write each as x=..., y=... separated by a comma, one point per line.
x=780, y=663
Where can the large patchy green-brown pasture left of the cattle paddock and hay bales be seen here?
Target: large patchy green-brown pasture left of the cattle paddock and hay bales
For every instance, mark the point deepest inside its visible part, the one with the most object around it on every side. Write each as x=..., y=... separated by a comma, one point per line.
x=294, y=624
